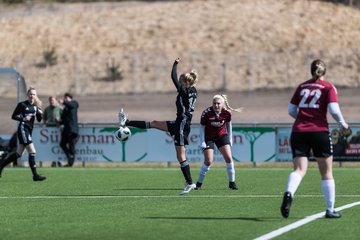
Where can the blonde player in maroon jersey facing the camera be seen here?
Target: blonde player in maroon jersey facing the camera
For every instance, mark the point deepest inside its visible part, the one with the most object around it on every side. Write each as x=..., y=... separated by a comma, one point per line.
x=216, y=129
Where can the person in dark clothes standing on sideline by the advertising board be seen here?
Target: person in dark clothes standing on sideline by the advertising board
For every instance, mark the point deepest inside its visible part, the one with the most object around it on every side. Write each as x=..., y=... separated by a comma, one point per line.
x=70, y=132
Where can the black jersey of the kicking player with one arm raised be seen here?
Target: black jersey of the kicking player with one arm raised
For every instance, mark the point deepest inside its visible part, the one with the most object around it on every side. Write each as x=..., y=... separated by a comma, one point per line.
x=186, y=98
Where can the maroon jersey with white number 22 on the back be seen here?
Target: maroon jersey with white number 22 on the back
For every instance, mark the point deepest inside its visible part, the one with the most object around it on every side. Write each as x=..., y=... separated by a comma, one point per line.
x=312, y=99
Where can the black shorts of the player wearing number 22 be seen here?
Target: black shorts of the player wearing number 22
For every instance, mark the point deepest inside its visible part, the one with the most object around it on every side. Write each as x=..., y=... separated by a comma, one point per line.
x=302, y=143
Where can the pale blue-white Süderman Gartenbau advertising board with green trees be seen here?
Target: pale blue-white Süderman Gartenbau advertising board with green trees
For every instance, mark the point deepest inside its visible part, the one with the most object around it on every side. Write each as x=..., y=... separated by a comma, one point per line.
x=99, y=144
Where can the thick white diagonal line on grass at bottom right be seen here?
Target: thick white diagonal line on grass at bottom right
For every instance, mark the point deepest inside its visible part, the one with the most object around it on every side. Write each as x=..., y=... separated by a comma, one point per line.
x=301, y=222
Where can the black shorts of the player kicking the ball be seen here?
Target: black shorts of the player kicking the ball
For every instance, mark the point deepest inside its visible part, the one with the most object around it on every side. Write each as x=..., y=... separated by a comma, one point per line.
x=180, y=130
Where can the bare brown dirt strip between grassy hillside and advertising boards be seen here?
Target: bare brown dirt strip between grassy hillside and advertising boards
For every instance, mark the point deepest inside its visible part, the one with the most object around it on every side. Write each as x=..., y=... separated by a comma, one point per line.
x=259, y=106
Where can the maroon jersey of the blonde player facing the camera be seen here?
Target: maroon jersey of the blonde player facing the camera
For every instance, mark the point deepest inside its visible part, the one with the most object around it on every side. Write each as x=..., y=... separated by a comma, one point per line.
x=215, y=123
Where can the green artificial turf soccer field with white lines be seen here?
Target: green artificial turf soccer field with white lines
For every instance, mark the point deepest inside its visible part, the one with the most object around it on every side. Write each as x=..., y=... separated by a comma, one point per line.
x=144, y=203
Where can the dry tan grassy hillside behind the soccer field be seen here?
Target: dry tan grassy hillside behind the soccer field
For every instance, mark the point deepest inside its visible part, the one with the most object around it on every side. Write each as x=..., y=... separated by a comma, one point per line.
x=234, y=45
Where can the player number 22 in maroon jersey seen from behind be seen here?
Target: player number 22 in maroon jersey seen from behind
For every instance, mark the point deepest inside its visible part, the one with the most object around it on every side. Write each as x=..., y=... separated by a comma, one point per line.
x=310, y=132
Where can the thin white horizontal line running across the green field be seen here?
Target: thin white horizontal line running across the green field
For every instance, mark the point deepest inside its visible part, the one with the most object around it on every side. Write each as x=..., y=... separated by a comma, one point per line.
x=161, y=196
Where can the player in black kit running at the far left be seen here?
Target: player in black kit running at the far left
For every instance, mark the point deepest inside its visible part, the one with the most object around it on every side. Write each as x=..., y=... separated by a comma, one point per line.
x=26, y=112
